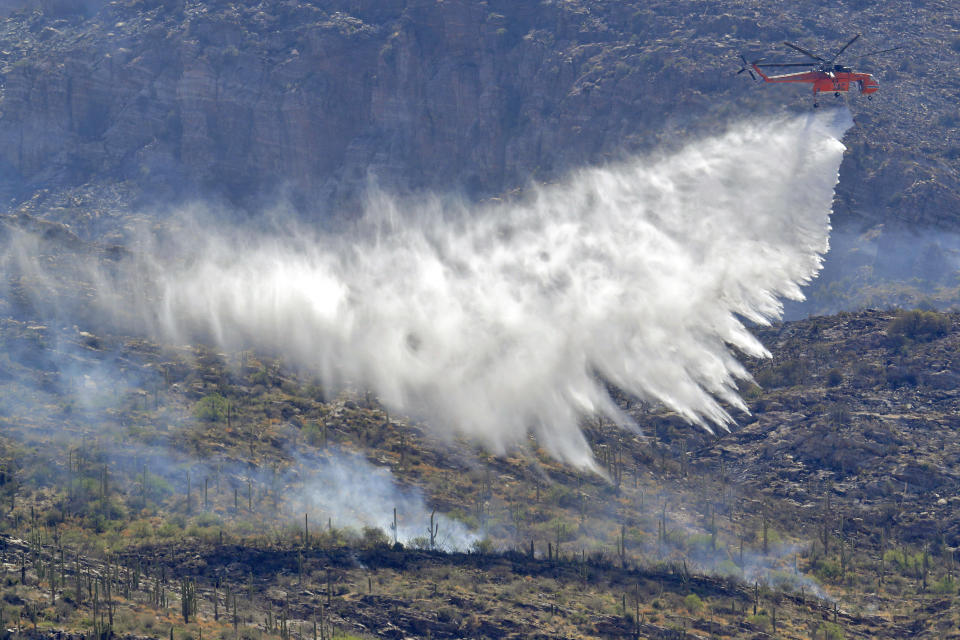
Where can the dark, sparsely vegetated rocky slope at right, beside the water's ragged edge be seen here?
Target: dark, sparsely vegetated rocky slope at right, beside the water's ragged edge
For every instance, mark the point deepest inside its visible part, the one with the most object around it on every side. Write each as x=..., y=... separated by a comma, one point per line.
x=851, y=402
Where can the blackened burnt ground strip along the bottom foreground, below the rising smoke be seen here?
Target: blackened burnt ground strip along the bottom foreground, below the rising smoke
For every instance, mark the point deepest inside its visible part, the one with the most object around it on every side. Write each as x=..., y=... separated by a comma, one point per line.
x=195, y=576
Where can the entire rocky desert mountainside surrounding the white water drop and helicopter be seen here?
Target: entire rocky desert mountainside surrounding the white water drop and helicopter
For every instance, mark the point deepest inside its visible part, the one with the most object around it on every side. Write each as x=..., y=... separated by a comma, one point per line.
x=157, y=490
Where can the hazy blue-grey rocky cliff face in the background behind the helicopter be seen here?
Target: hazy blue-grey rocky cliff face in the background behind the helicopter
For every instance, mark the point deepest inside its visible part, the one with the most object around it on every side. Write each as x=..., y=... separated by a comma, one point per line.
x=314, y=100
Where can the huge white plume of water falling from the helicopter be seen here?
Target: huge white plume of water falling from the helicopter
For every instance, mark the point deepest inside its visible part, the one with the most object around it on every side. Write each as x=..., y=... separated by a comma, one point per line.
x=504, y=319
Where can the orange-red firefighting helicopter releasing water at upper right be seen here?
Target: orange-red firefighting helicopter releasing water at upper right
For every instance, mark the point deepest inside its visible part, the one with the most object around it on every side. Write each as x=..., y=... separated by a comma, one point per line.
x=825, y=75
